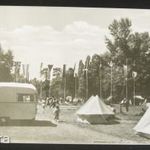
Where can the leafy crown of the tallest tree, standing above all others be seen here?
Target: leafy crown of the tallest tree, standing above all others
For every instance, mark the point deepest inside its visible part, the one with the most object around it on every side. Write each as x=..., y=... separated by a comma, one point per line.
x=119, y=44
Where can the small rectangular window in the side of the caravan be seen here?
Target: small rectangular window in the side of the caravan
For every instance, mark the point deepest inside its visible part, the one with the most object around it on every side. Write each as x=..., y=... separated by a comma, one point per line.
x=25, y=98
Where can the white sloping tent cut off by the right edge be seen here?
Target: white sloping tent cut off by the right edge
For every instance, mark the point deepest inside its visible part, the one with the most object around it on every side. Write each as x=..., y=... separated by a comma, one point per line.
x=143, y=126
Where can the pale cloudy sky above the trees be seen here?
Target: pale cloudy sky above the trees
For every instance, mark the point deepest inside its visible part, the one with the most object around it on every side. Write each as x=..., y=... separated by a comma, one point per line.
x=61, y=35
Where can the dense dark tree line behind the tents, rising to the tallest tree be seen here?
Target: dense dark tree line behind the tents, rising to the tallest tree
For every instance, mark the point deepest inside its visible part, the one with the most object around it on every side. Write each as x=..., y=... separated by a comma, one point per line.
x=113, y=72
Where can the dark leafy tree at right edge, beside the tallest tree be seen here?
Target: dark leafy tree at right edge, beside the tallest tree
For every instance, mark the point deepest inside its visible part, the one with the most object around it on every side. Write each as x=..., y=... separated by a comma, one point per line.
x=141, y=55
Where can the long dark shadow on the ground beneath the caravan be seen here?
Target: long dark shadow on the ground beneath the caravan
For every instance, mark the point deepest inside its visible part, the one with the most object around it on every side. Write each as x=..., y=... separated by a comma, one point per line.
x=27, y=123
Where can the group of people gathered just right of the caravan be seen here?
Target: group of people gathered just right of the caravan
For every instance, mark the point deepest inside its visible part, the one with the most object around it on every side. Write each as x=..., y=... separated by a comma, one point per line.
x=52, y=103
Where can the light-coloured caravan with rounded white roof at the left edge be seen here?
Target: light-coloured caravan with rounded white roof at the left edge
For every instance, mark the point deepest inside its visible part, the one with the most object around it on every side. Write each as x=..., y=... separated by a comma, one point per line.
x=17, y=101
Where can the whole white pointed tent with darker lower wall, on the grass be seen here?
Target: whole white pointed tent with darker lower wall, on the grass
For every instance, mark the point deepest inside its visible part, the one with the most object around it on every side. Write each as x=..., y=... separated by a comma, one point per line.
x=95, y=111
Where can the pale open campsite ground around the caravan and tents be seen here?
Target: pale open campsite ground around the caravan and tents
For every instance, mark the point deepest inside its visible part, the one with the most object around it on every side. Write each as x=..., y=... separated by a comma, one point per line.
x=69, y=130
